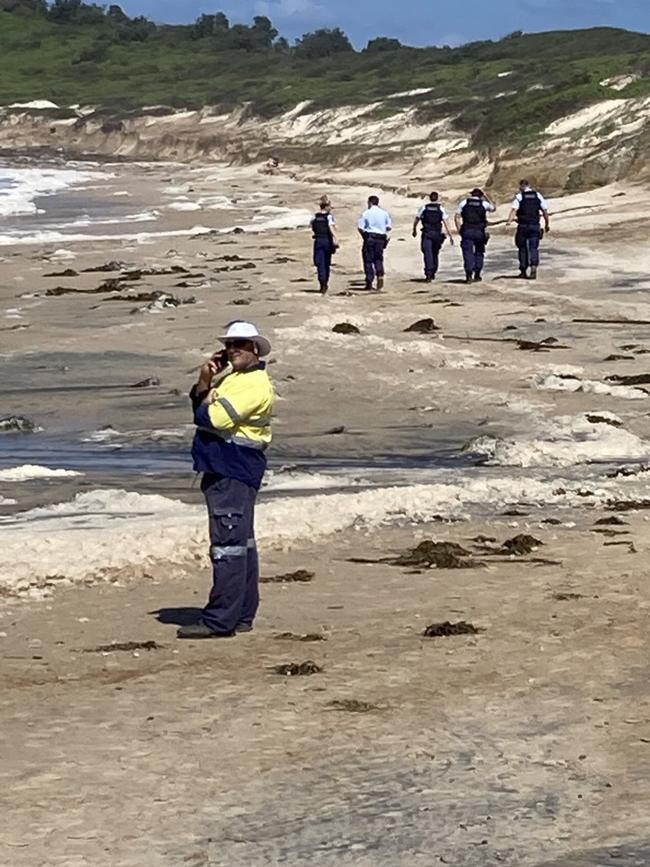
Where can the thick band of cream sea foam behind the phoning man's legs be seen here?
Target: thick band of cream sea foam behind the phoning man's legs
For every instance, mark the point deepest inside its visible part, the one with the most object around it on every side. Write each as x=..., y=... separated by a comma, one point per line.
x=122, y=535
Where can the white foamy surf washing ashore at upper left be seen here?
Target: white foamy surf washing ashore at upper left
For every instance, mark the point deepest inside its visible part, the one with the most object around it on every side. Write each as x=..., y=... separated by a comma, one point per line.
x=69, y=204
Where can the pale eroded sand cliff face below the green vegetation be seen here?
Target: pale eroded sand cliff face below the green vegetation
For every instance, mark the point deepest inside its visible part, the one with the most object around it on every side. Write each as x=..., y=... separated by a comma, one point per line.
x=606, y=142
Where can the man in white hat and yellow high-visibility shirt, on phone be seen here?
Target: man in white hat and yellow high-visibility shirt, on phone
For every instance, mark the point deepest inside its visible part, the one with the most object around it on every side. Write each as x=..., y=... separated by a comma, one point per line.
x=232, y=402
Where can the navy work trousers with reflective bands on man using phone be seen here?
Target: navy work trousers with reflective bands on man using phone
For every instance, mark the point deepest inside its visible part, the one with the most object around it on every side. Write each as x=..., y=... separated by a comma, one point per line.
x=234, y=597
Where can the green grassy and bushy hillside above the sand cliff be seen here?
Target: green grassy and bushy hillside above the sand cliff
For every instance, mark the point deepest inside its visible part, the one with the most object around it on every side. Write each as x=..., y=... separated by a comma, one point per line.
x=71, y=53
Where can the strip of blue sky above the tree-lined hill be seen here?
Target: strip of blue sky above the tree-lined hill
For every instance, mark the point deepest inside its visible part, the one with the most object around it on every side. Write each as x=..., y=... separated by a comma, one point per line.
x=415, y=22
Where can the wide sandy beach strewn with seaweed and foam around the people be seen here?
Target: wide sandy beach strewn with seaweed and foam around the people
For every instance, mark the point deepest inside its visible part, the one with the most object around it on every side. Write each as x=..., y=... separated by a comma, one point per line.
x=520, y=410
